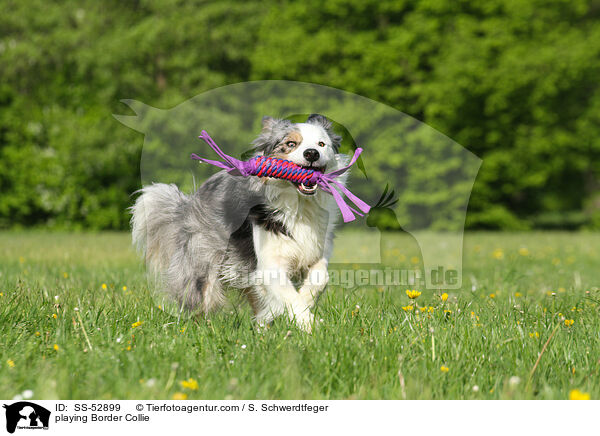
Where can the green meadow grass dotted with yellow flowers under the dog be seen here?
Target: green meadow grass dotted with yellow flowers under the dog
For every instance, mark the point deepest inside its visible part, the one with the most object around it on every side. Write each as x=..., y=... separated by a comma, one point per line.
x=518, y=290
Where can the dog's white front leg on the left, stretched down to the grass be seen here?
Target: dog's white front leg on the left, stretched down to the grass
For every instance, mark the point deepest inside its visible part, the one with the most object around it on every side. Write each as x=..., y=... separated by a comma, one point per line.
x=277, y=295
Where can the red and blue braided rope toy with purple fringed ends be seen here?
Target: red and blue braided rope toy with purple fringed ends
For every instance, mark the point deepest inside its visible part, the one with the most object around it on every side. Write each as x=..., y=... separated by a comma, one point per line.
x=262, y=166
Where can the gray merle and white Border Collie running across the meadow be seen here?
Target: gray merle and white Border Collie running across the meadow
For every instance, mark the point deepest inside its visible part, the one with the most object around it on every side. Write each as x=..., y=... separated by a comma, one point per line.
x=269, y=238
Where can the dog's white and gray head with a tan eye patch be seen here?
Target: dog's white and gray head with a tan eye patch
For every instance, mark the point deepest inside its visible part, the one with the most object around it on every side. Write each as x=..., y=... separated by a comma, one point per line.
x=312, y=144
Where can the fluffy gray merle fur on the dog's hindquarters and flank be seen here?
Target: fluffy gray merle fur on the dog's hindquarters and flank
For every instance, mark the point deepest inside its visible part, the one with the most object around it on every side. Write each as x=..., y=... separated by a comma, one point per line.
x=186, y=239
